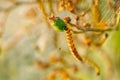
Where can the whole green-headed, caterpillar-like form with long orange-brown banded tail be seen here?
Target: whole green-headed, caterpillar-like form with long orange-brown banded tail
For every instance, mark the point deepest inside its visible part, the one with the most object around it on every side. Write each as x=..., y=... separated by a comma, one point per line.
x=59, y=25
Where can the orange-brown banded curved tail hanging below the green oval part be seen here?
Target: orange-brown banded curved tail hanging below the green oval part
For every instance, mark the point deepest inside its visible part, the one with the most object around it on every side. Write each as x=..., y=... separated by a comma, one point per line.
x=76, y=54
